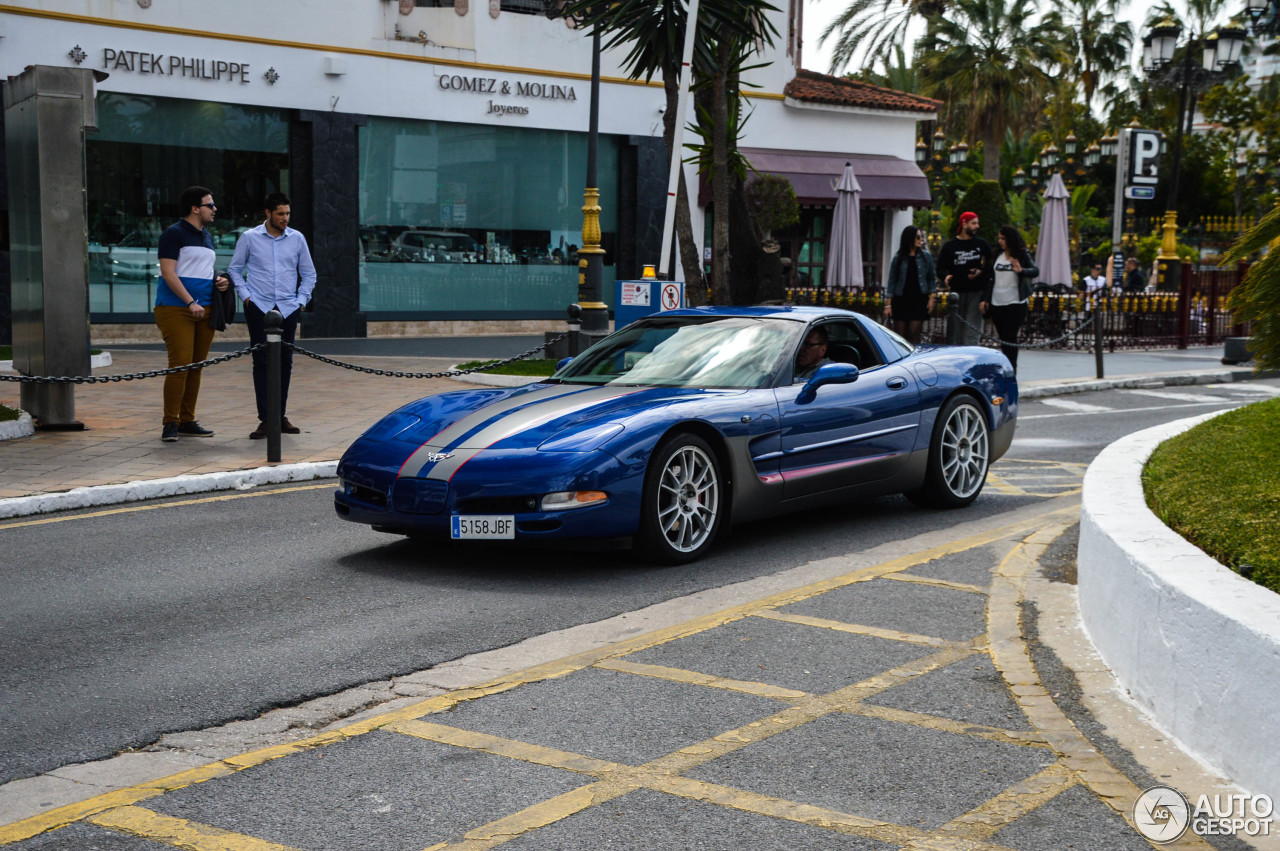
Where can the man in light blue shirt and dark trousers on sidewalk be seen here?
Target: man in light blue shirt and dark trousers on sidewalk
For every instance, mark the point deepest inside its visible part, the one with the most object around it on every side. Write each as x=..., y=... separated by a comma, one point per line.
x=273, y=269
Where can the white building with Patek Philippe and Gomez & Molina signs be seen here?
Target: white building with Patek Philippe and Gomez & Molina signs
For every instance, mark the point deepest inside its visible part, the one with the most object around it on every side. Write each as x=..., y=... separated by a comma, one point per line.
x=435, y=150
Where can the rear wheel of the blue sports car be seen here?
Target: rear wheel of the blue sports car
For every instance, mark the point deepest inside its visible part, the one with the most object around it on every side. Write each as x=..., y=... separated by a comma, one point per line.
x=959, y=456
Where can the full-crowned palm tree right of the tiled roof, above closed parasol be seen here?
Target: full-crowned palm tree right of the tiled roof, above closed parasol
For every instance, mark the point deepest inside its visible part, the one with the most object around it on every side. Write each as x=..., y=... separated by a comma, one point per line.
x=988, y=60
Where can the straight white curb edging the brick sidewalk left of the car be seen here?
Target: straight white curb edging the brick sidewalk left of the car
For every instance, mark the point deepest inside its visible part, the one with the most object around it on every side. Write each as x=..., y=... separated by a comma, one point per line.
x=159, y=488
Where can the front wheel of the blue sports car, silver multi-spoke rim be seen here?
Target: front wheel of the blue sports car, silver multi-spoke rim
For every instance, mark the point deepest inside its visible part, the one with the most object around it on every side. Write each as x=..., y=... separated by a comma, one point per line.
x=684, y=502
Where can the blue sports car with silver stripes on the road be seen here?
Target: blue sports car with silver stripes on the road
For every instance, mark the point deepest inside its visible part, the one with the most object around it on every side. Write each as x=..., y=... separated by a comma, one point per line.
x=682, y=424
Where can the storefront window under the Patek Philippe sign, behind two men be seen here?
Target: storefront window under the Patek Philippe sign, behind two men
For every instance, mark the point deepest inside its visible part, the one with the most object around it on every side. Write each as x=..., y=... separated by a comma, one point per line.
x=147, y=152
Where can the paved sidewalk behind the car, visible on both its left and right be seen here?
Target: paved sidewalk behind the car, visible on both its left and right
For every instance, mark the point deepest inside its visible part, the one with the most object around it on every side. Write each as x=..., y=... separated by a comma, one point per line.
x=121, y=445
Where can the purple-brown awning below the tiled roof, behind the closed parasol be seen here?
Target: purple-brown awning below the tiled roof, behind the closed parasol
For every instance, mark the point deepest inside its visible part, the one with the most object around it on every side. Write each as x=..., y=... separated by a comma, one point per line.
x=885, y=181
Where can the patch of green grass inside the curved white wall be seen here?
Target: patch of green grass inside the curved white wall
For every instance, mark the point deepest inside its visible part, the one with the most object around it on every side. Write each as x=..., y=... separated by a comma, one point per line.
x=1219, y=487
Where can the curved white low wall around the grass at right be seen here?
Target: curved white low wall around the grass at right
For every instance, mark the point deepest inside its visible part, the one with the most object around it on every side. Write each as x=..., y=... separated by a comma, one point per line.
x=1196, y=646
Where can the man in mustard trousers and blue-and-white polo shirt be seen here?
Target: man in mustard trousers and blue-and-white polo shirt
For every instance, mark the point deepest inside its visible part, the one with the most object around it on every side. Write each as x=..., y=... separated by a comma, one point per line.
x=186, y=290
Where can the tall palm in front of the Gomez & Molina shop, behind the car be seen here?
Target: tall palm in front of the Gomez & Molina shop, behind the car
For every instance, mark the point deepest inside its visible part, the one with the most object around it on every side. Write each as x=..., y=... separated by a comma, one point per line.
x=653, y=34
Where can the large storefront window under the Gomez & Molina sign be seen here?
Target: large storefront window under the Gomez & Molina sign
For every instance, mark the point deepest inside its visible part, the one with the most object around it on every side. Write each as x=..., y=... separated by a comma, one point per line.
x=463, y=221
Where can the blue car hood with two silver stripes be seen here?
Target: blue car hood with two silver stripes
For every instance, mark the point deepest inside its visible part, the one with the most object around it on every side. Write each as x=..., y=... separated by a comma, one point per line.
x=557, y=418
